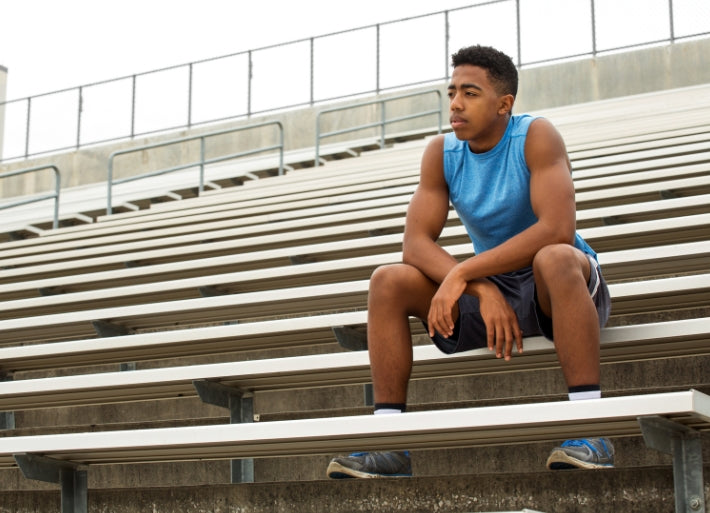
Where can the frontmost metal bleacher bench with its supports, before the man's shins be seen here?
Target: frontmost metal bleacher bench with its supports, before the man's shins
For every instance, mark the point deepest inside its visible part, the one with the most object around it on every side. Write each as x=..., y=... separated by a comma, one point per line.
x=669, y=422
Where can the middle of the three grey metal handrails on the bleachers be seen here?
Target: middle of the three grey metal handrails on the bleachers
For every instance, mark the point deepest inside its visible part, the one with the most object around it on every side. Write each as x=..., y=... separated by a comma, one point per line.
x=201, y=162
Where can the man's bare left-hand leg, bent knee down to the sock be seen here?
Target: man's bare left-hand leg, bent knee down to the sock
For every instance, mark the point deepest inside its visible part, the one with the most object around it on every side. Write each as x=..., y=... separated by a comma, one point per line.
x=396, y=292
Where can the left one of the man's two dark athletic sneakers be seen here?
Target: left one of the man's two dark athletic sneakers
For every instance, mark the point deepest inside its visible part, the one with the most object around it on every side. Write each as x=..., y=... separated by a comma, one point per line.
x=371, y=464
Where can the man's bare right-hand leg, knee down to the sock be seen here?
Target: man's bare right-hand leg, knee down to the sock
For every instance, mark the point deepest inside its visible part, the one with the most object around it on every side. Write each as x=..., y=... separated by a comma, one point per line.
x=561, y=275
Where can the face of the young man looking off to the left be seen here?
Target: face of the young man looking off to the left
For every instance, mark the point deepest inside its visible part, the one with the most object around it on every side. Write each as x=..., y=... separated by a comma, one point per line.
x=477, y=112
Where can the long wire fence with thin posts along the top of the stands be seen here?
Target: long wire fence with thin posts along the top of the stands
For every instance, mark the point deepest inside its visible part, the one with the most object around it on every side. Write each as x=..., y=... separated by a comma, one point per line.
x=372, y=57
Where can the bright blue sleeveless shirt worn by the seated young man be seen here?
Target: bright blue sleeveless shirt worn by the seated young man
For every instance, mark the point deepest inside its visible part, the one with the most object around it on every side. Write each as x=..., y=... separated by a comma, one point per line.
x=491, y=191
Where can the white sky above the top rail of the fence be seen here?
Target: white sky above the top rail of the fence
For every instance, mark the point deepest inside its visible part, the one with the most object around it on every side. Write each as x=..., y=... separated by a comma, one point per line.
x=48, y=45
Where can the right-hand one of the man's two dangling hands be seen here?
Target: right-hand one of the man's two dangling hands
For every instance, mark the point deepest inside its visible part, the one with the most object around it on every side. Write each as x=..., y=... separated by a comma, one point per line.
x=502, y=326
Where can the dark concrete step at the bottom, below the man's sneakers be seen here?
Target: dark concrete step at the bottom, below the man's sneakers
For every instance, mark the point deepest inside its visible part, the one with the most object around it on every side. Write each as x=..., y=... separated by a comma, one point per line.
x=607, y=491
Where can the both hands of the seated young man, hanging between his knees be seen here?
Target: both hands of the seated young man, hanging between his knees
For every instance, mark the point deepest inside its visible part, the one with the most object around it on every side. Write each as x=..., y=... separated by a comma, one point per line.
x=502, y=328
